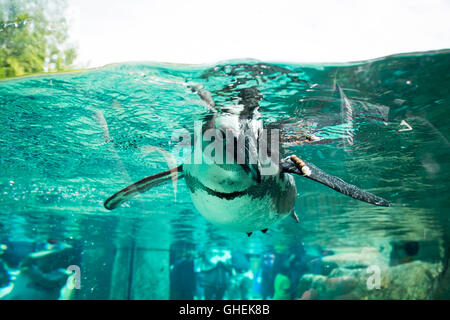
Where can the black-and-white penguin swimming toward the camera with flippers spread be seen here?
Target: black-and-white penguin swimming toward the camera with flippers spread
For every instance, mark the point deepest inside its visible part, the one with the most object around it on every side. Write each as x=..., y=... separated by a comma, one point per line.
x=237, y=195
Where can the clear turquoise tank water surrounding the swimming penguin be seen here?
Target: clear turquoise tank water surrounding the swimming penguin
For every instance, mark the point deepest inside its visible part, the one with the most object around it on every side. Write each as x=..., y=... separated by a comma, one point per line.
x=69, y=141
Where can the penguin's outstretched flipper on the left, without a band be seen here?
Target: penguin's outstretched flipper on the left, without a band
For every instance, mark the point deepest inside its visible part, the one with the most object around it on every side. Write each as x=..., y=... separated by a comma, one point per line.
x=142, y=186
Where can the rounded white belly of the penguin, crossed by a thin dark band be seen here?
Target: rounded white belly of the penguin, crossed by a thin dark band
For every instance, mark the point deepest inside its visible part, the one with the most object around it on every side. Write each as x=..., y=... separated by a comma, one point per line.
x=255, y=208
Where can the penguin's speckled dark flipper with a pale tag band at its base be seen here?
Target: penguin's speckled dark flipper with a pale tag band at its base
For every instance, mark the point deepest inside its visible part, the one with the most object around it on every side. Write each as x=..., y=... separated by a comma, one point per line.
x=293, y=164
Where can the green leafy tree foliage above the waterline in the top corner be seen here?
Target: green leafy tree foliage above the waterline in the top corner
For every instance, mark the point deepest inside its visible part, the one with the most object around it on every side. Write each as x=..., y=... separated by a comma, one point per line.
x=33, y=37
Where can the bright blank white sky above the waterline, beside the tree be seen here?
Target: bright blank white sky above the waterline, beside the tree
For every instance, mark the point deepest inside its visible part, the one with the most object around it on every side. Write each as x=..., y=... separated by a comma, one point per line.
x=202, y=31
